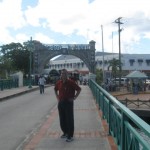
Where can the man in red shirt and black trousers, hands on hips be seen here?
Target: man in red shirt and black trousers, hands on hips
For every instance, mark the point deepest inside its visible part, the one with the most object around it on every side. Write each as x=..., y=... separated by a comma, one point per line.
x=66, y=92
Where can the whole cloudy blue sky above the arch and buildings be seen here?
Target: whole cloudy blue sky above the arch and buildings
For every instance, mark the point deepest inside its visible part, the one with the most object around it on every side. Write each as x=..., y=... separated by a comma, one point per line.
x=77, y=22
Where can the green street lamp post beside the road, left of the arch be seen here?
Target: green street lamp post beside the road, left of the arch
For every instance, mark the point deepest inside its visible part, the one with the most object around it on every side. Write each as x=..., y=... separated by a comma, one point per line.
x=30, y=70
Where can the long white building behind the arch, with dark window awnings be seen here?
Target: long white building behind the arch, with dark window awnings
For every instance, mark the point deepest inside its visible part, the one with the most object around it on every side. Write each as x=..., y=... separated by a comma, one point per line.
x=130, y=62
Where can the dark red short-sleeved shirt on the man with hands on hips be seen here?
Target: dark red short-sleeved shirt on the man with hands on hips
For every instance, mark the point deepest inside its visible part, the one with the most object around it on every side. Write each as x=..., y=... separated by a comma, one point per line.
x=66, y=90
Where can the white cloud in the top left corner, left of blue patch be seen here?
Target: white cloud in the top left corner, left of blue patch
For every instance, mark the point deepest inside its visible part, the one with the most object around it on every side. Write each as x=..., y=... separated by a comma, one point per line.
x=11, y=17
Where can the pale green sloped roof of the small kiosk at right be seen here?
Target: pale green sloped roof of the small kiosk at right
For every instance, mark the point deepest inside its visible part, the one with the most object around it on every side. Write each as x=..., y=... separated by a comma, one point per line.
x=136, y=74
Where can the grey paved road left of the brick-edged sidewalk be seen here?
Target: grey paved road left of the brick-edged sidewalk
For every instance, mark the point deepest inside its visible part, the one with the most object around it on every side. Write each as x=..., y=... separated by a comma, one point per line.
x=22, y=115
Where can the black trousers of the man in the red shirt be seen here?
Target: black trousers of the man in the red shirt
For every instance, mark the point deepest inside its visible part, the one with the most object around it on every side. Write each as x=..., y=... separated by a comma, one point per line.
x=66, y=117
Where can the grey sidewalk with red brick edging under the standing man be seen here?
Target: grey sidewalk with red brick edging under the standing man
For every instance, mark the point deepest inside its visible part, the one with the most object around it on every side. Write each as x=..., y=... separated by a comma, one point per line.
x=90, y=130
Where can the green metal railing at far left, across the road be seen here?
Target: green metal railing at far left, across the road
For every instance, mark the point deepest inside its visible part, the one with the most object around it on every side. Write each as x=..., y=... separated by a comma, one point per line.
x=8, y=84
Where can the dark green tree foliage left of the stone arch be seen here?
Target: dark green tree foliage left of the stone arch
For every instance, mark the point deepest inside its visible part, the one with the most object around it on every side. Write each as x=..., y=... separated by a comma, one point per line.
x=14, y=56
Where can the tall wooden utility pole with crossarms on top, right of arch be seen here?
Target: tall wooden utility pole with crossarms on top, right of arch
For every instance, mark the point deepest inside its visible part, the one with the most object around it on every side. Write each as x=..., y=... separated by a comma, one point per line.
x=119, y=30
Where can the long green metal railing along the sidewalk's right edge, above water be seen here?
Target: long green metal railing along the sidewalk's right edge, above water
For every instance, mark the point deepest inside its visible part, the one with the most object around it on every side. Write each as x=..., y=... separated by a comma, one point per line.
x=122, y=122
